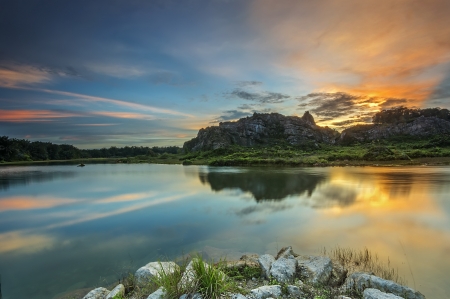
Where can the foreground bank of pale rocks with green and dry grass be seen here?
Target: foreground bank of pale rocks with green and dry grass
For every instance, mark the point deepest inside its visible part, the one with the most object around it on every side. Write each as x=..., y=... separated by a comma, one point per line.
x=343, y=274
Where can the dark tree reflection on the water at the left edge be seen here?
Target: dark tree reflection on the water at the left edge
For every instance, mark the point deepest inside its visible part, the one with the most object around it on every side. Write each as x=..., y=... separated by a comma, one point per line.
x=10, y=179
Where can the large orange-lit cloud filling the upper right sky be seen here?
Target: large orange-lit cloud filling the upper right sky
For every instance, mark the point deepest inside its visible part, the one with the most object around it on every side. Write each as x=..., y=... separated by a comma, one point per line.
x=378, y=48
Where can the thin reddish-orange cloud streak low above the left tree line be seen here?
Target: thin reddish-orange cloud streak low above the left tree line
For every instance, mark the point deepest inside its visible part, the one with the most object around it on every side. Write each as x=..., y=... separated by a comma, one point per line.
x=33, y=115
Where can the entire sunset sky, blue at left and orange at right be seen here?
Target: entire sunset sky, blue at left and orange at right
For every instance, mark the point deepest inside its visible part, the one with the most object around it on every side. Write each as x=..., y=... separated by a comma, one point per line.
x=152, y=73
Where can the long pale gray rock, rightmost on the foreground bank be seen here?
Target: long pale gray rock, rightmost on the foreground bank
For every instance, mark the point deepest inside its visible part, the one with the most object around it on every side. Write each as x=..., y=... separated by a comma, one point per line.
x=362, y=281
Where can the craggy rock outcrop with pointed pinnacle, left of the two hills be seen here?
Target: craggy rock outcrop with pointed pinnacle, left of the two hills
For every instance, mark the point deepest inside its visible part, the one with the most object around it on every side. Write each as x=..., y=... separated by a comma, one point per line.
x=262, y=129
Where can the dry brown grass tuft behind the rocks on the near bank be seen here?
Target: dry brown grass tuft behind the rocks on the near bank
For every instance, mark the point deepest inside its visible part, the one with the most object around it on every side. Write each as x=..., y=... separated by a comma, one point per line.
x=364, y=261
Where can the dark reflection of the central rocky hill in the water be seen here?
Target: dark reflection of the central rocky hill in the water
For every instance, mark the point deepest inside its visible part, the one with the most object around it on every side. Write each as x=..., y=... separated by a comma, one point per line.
x=265, y=185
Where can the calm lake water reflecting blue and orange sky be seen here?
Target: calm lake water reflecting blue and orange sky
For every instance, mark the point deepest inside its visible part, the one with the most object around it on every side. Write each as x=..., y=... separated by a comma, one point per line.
x=64, y=228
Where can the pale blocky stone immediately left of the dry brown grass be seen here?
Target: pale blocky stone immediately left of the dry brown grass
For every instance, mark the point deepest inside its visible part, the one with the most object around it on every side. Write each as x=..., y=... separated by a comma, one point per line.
x=314, y=269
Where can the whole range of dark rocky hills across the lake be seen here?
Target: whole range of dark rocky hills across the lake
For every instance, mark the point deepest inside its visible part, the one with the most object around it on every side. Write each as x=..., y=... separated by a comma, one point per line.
x=274, y=128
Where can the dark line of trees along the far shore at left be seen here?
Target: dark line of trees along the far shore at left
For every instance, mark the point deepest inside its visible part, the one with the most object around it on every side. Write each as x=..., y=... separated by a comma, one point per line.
x=12, y=149
